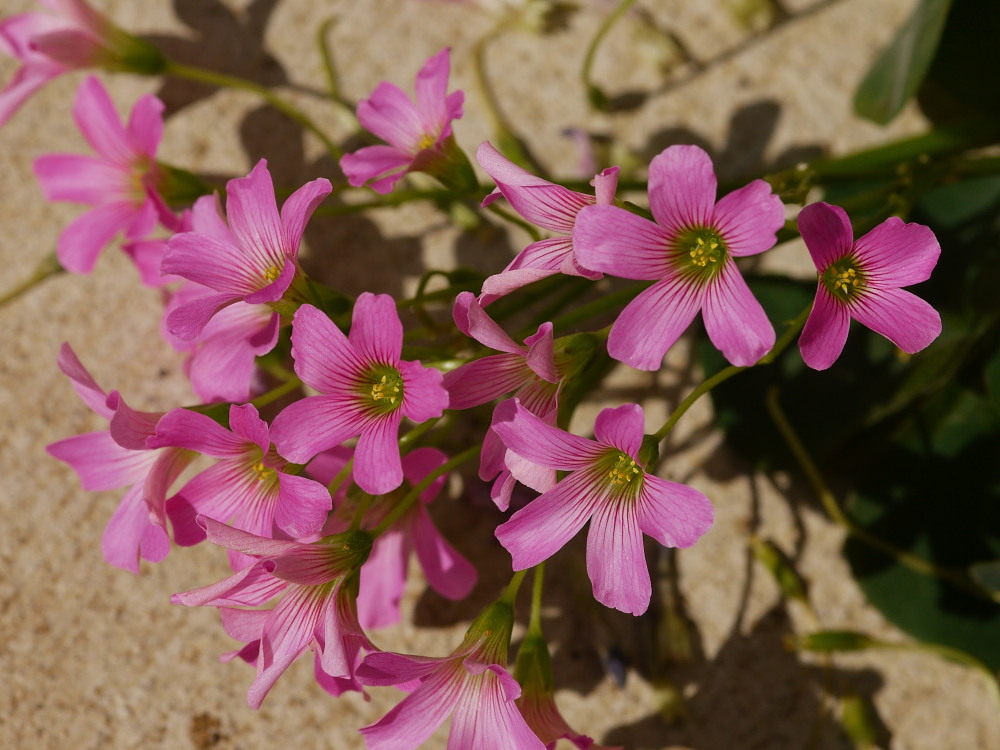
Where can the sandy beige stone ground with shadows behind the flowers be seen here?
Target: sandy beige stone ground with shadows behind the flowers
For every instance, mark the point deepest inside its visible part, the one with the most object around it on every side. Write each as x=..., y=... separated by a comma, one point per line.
x=94, y=657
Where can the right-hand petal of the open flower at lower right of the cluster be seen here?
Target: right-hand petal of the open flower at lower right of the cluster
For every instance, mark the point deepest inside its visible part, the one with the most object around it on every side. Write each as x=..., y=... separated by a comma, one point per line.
x=673, y=514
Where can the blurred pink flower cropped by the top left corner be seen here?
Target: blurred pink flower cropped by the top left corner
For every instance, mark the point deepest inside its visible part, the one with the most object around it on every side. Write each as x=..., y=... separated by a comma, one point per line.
x=76, y=37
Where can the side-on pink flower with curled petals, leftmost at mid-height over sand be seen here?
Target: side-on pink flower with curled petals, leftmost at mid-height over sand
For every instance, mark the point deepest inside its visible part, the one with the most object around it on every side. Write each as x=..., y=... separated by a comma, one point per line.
x=117, y=457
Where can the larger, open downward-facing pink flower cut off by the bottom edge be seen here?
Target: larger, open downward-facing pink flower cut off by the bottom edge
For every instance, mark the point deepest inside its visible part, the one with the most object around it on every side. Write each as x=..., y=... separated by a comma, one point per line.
x=471, y=684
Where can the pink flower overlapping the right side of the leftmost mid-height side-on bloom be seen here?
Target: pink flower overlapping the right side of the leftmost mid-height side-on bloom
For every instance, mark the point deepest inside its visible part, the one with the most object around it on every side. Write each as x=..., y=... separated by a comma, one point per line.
x=250, y=485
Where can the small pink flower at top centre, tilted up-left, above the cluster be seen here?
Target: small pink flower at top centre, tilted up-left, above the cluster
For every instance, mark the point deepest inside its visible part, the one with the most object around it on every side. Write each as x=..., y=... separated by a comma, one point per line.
x=419, y=135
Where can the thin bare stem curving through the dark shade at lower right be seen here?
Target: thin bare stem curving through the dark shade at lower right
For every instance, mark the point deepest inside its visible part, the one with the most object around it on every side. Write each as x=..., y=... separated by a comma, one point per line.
x=836, y=513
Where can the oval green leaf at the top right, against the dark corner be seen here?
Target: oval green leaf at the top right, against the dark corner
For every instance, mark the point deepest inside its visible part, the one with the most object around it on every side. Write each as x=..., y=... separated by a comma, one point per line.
x=901, y=66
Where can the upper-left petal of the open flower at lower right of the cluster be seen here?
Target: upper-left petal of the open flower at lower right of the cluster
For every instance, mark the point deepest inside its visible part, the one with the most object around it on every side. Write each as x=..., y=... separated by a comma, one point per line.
x=541, y=443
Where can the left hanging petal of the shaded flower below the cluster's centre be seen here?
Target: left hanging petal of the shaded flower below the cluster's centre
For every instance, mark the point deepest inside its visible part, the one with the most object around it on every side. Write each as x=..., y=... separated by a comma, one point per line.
x=383, y=578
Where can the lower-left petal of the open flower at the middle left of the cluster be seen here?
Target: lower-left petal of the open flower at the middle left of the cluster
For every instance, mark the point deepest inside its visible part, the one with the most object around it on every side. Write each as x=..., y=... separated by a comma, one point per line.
x=306, y=427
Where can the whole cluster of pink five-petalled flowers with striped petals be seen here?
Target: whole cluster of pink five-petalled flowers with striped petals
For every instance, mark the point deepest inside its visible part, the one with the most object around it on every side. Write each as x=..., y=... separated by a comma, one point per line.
x=321, y=499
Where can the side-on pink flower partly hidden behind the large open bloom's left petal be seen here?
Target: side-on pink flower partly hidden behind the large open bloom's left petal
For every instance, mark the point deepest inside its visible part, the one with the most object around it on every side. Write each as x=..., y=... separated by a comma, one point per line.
x=548, y=206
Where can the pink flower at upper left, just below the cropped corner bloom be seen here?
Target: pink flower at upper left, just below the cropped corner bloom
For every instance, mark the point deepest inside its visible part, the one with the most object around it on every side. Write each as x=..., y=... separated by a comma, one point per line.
x=120, y=182
